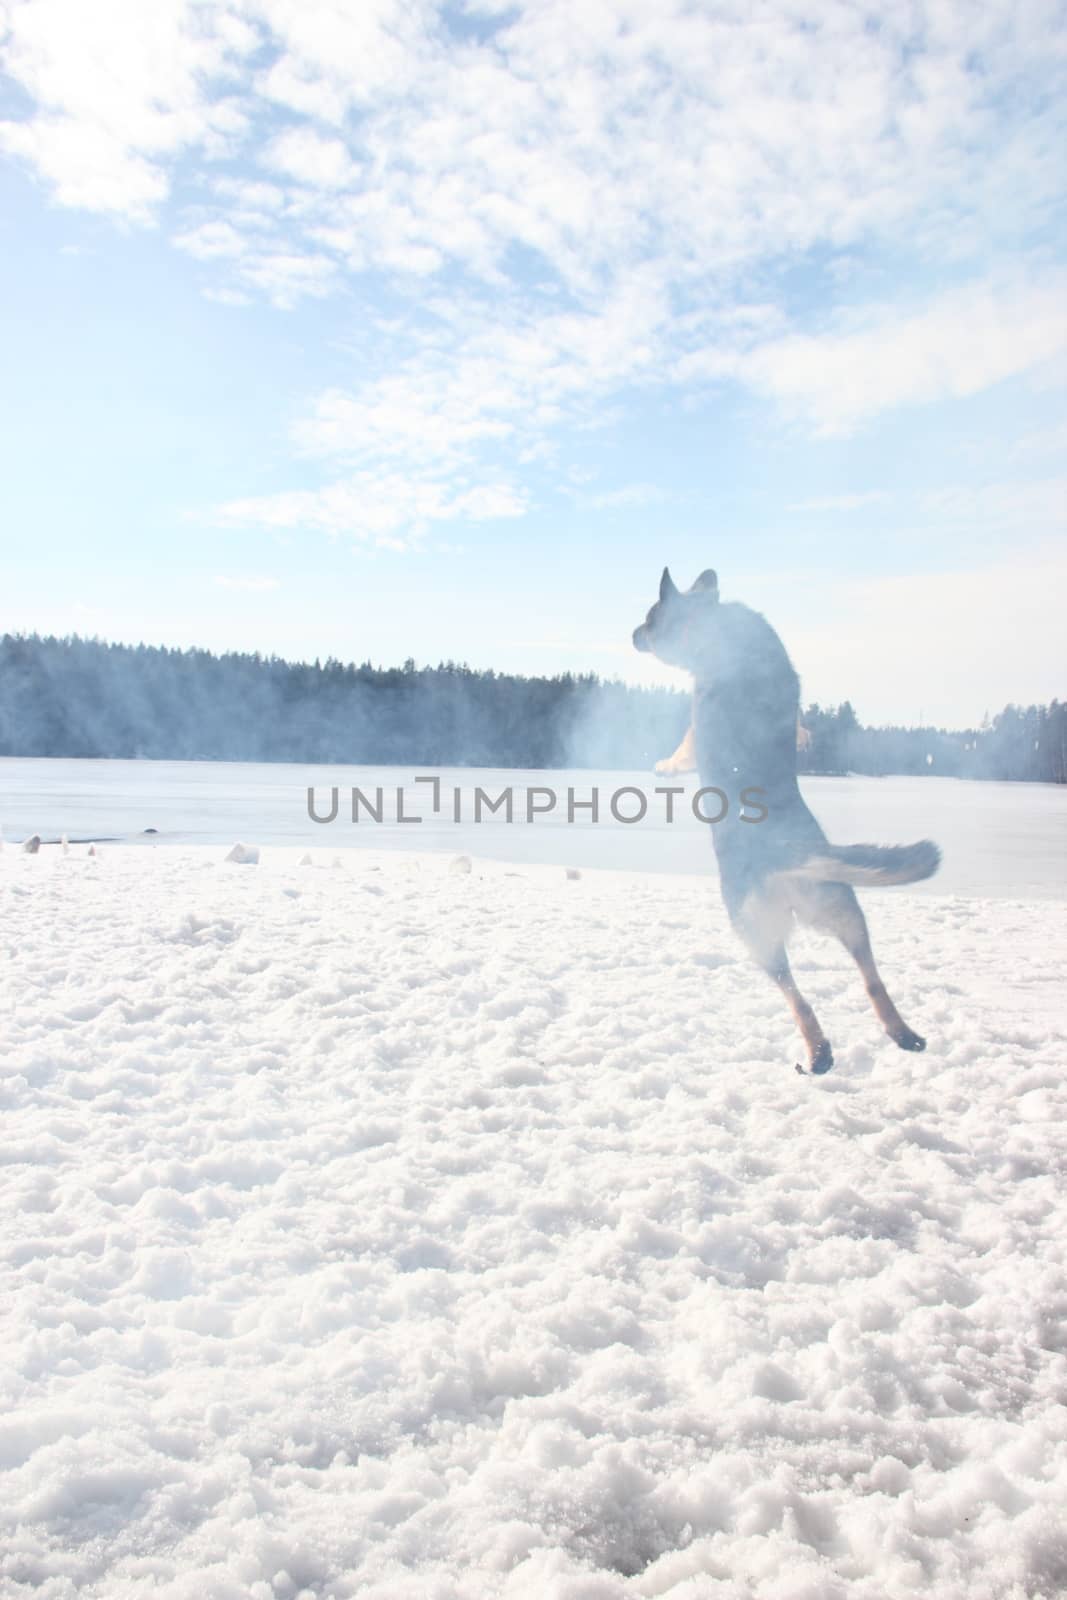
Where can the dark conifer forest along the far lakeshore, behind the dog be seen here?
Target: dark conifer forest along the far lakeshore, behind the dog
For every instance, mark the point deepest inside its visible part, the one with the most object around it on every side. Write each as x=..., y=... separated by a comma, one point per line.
x=86, y=698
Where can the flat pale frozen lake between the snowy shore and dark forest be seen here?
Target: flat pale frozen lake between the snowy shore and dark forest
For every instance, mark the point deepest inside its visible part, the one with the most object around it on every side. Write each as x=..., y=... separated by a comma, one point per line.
x=1004, y=841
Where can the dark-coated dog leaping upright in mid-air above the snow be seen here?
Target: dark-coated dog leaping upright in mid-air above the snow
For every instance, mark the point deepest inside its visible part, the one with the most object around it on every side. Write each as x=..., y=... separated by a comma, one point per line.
x=777, y=868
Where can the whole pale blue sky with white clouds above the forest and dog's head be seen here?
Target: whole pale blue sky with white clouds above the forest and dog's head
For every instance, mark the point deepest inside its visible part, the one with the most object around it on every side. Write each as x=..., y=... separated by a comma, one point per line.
x=394, y=329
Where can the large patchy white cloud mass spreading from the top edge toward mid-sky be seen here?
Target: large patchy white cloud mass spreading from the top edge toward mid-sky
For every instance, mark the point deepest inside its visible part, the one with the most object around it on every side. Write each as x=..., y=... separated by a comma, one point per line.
x=580, y=201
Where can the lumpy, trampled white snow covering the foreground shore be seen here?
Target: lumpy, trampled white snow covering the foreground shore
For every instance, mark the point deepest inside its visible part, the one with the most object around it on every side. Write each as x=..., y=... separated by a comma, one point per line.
x=380, y=1230
